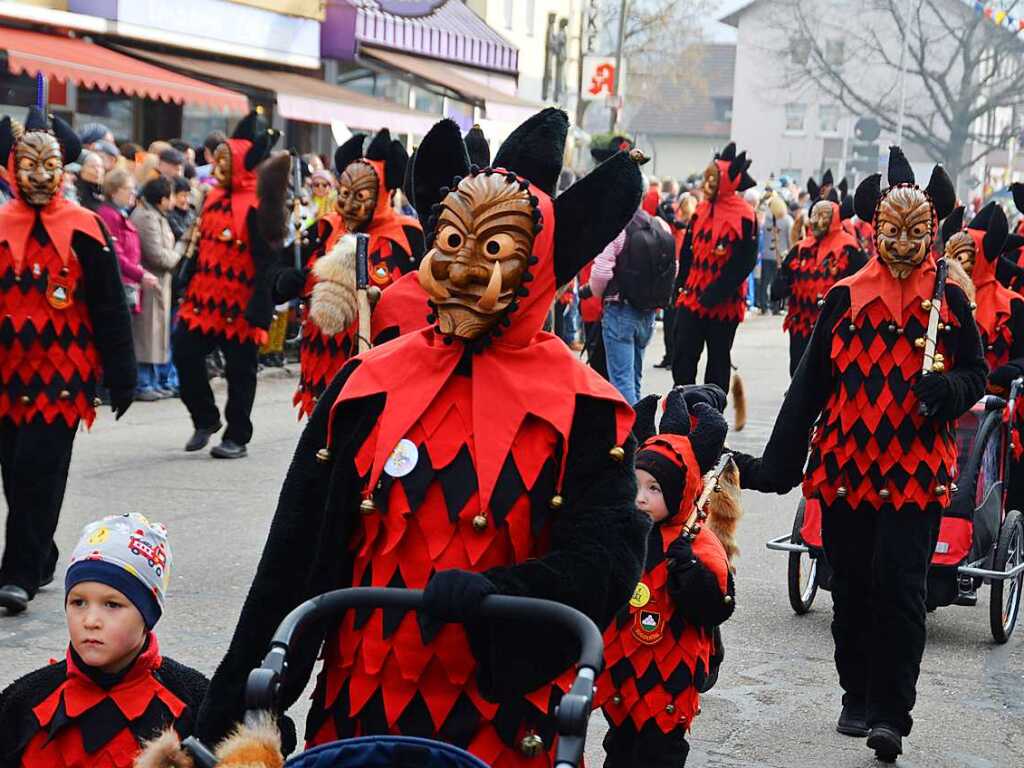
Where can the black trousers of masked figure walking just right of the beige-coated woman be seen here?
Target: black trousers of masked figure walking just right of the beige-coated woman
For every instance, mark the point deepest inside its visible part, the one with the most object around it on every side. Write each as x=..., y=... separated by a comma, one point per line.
x=241, y=363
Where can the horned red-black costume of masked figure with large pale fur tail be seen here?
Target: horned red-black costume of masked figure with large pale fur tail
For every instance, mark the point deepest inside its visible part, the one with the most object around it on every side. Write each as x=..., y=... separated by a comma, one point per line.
x=396, y=249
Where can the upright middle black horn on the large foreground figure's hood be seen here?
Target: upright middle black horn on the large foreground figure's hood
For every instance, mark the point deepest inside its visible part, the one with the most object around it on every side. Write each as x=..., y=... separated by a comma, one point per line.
x=535, y=150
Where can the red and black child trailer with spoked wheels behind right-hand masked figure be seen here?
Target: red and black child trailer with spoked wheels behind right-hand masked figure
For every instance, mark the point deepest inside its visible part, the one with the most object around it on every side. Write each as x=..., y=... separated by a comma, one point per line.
x=980, y=539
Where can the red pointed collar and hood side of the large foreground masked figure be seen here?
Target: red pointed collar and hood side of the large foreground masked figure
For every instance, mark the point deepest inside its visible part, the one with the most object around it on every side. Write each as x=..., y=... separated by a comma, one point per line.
x=525, y=372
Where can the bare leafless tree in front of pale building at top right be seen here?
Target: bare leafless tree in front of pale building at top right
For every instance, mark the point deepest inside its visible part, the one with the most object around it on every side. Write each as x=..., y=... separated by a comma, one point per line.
x=964, y=74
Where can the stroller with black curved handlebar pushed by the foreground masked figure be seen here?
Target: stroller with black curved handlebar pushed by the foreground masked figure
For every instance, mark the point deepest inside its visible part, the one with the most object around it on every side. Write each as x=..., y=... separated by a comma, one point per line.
x=573, y=713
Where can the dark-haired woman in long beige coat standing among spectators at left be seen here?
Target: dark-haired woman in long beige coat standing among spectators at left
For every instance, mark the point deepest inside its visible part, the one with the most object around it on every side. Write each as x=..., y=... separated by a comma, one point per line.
x=152, y=327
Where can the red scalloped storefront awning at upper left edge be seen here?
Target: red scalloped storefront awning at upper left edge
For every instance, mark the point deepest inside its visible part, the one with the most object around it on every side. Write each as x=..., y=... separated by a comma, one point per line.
x=93, y=66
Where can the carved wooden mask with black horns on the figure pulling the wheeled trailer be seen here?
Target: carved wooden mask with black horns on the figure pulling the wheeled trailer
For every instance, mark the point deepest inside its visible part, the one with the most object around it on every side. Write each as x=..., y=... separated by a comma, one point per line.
x=906, y=217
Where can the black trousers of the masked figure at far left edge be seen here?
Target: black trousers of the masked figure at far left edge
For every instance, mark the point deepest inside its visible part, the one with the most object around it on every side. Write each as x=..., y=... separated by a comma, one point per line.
x=35, y=459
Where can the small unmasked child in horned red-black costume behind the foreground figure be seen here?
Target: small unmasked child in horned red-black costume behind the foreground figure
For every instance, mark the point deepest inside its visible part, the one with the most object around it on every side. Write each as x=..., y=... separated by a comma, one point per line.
x=660, y=649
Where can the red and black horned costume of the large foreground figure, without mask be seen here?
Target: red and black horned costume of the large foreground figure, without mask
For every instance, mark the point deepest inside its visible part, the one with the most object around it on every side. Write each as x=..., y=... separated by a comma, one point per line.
x=522, y=483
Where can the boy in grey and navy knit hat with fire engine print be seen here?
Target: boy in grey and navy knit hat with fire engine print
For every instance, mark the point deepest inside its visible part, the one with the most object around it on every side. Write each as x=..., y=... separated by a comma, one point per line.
x=114, y=691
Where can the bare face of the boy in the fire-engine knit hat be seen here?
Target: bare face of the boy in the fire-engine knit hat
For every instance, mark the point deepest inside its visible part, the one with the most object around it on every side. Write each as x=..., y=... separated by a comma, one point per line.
x=106, y=629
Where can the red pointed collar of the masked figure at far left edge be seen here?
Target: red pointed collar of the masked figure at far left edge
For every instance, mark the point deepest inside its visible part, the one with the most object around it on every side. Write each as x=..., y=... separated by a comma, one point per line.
x=61, y=220
